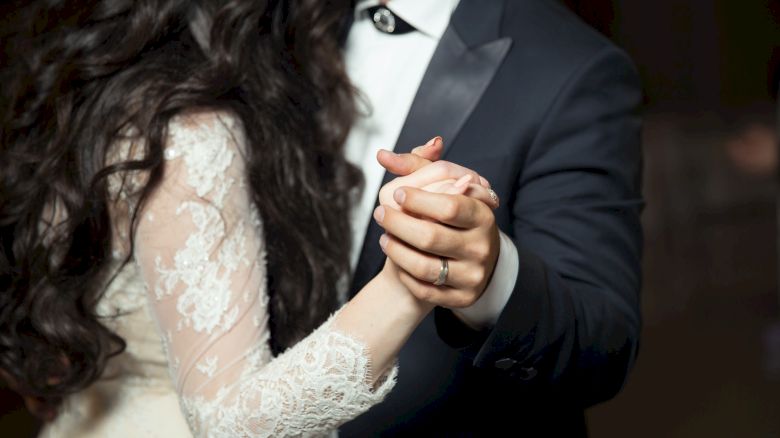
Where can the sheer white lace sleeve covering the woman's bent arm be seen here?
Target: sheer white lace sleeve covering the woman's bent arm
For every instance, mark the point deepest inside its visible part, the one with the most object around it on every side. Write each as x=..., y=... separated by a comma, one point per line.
x=200, y=248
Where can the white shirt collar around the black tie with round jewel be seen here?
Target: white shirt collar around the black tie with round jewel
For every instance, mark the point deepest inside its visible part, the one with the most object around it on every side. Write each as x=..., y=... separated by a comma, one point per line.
x=430, y=17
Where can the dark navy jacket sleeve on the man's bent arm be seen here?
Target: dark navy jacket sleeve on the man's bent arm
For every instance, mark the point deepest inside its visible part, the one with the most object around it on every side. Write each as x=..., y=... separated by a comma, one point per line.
x=573, y=320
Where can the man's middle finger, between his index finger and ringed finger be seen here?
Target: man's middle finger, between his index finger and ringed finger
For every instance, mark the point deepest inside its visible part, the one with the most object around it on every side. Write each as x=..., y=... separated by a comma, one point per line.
x=422, y=234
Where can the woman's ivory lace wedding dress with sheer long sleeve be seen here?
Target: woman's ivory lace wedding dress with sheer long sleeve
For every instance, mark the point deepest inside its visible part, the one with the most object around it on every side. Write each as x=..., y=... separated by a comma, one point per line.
x=193, y=309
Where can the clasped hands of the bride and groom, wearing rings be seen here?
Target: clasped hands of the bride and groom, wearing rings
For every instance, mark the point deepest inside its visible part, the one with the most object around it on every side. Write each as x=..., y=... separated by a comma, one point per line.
x=437, y=210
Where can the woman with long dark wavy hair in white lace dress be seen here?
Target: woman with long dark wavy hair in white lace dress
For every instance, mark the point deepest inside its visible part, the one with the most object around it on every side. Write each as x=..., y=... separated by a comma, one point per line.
x=173, y=216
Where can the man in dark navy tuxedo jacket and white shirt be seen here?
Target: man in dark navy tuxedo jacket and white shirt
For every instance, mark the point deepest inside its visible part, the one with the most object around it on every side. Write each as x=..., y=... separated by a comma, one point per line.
x=546, y=109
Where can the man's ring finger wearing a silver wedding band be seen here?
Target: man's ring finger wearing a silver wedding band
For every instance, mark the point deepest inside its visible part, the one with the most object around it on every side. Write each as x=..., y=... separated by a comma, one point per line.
x=427, y=268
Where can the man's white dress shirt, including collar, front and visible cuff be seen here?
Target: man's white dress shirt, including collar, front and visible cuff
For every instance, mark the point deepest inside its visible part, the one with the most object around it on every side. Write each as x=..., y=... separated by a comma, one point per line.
x=388, y=69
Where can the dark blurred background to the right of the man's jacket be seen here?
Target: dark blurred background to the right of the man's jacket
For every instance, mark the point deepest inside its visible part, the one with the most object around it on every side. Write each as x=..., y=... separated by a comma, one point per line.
x=709, y=362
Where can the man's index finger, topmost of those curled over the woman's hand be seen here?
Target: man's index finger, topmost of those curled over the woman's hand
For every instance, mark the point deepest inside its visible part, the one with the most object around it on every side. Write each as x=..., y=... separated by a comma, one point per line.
x=455, y=210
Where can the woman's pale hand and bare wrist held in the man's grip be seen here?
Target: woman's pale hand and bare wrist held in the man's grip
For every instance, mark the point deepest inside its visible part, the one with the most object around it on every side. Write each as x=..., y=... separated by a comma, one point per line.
x=384, y=313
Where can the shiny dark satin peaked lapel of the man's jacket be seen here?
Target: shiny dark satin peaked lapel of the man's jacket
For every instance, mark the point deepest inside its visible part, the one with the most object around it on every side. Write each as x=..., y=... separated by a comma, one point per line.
x=460, y=71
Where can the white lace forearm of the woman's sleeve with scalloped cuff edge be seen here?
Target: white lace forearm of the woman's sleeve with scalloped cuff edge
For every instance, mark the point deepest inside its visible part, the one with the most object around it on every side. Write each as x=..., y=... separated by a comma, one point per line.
x=310, y=390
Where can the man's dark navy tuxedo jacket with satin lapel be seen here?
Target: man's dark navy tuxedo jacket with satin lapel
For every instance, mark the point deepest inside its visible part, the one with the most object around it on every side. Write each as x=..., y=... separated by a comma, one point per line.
x=546, y=109
